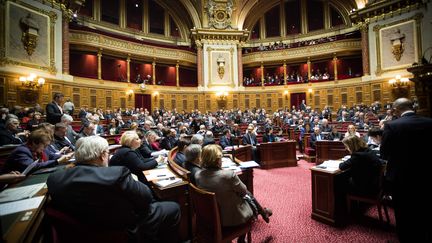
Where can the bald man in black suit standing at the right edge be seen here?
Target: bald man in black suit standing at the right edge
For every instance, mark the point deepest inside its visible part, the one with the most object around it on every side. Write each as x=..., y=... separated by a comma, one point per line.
x=409, y=170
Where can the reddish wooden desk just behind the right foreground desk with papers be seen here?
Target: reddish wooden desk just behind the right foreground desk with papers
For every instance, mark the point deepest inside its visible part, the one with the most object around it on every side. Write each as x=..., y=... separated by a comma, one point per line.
x=329, y=150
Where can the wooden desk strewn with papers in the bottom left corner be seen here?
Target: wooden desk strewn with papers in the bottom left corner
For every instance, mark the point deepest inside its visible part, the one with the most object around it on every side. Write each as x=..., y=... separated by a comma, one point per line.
x=15, y=230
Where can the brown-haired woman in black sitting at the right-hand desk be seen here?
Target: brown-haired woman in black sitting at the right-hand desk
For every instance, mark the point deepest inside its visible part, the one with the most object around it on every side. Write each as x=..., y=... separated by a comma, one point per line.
x=364, y=167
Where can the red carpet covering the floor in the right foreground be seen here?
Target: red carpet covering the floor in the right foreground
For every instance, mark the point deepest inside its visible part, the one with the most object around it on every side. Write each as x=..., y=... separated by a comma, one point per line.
x=287, y=191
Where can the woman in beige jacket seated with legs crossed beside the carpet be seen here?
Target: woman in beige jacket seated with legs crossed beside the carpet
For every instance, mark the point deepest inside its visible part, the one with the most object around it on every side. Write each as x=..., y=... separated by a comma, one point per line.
x=236, y=203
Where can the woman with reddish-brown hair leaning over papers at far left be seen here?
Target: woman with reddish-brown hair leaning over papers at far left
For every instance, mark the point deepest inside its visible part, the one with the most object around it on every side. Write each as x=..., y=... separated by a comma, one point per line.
x=33, y=150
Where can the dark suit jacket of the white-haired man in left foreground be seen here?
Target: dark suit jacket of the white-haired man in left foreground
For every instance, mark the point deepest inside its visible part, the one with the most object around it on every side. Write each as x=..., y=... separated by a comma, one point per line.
x=106, y=196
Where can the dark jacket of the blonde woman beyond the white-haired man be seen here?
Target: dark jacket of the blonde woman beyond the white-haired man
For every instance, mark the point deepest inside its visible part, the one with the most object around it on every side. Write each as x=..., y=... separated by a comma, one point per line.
x=134, y=161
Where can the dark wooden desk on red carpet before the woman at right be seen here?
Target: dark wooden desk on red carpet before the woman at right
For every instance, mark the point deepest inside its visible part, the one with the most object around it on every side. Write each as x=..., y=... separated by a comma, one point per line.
x=328, y=199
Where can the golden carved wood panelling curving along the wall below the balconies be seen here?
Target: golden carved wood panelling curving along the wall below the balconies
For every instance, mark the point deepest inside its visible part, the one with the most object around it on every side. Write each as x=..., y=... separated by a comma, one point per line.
x=112, y=95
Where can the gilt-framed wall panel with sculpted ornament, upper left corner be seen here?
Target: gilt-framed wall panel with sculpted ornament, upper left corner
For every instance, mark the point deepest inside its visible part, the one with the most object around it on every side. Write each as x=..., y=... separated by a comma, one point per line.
x=34, y=45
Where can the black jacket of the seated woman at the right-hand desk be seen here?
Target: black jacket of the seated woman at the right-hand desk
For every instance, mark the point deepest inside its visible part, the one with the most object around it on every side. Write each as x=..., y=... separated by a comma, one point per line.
x=364, y=170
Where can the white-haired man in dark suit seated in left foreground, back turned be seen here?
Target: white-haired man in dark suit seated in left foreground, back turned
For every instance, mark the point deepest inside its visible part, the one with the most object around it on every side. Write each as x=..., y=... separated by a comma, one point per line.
x=109, y=197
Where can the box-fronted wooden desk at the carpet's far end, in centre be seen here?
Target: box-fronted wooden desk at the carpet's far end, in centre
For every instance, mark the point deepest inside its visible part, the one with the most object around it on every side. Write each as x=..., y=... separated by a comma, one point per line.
x=277, y=154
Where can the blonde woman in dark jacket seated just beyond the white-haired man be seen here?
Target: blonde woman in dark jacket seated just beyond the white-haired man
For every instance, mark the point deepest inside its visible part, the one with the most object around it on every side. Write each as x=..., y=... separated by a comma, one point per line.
x=128, y=156
